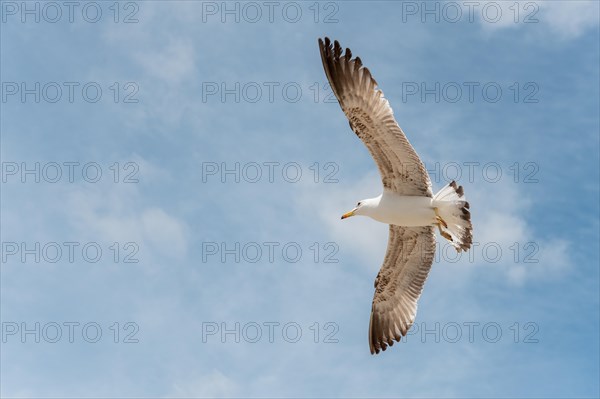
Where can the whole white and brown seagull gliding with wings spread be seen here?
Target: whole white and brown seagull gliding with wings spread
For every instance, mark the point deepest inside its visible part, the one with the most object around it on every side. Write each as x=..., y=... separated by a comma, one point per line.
x=407, y=203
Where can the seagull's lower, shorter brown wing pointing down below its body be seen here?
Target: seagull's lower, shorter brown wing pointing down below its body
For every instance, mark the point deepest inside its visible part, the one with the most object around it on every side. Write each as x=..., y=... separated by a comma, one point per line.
x=399, y=284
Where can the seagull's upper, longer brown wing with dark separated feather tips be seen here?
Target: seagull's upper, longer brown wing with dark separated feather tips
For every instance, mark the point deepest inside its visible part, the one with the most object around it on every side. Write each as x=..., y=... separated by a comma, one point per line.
x=372, y=119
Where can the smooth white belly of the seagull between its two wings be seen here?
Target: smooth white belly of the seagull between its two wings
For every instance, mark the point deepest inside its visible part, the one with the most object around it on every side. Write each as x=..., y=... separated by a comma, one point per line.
x=409, y=211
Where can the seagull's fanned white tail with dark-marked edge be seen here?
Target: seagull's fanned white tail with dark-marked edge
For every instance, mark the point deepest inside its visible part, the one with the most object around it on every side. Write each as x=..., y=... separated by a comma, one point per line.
x=454, y=217
